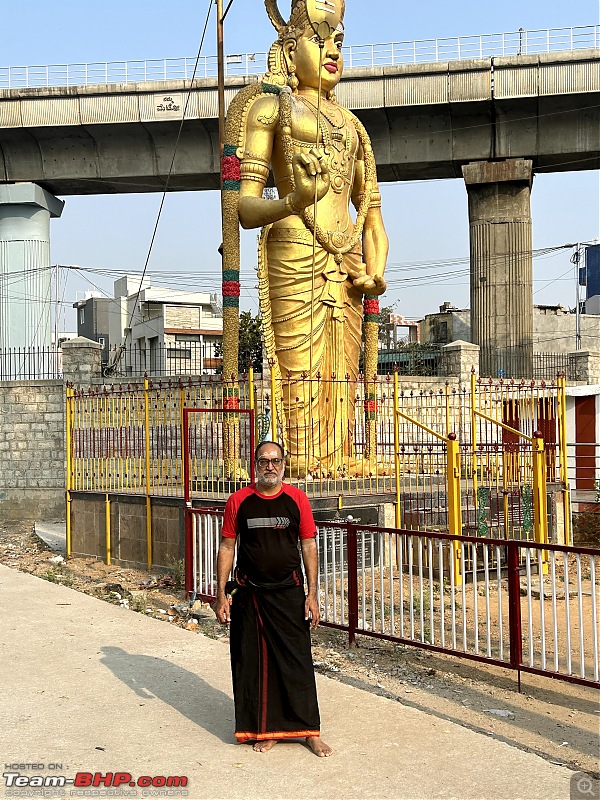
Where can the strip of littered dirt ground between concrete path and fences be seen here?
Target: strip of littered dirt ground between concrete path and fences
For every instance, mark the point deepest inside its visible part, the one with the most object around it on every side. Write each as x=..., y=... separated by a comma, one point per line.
x=557, y=720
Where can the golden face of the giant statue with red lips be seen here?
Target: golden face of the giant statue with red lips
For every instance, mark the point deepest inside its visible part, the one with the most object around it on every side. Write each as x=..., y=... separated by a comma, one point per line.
x=306, y=58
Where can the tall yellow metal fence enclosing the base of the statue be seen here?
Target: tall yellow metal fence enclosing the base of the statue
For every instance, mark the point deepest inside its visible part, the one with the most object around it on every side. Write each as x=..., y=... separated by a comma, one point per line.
x=473, y=458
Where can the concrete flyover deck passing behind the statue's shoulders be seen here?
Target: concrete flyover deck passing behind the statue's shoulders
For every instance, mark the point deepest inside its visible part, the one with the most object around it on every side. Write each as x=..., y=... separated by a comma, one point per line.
x=426, y=121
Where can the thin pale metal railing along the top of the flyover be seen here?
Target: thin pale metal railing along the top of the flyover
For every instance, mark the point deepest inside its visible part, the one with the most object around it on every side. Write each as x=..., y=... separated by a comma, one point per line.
x=421, y=51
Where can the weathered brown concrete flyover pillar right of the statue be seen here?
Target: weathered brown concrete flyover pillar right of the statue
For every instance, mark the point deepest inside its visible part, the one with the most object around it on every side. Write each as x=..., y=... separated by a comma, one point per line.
x=501, y=265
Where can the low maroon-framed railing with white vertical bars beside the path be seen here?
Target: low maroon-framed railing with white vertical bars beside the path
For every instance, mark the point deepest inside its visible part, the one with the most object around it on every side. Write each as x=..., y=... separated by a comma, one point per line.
x=520, y=605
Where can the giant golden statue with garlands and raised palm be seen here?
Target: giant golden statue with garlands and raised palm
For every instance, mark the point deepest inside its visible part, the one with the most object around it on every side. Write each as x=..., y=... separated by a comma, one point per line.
x=316, y=264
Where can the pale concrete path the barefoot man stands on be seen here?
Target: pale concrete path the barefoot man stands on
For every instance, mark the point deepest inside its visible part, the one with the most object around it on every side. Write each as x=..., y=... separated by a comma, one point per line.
x=92, y=687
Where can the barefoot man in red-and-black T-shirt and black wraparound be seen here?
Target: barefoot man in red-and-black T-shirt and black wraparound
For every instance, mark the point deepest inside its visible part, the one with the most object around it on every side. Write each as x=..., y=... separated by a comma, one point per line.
x=271, y=663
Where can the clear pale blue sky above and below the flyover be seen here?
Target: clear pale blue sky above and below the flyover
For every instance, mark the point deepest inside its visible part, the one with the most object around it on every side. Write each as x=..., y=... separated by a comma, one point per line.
x=427, y=221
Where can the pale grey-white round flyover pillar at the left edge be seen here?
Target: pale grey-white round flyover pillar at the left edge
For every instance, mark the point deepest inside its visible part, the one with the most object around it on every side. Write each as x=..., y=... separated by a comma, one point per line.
x=25, y=213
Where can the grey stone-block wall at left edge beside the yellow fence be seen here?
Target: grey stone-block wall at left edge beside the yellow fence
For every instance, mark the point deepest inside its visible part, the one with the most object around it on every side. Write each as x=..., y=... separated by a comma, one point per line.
x=32, y=450
